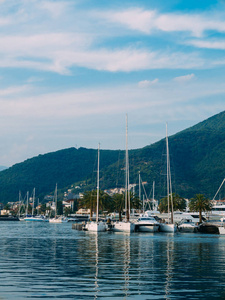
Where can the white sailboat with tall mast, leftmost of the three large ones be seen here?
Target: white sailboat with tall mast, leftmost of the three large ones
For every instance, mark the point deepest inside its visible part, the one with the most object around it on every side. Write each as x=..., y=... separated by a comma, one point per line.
x=96, y=226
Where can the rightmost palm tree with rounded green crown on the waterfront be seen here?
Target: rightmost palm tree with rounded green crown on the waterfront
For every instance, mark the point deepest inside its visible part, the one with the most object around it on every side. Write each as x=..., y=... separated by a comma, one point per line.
x=200, y=203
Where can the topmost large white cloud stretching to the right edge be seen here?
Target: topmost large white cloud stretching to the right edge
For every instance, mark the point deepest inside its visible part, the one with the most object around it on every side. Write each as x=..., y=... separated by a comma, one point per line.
x=148, y=20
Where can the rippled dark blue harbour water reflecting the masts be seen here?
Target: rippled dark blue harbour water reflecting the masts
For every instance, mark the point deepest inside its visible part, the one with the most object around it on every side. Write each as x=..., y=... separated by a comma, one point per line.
x=52, y=261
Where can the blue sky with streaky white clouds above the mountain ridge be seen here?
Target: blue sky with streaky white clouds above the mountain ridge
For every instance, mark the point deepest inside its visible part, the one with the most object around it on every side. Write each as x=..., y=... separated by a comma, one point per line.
x=70, y=71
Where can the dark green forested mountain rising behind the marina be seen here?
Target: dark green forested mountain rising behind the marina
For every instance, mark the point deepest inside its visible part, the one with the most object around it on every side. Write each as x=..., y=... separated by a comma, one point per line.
x=197, y=165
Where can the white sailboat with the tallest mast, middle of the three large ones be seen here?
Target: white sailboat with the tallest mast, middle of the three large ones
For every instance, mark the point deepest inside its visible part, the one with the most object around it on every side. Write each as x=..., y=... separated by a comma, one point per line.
x=126, y=225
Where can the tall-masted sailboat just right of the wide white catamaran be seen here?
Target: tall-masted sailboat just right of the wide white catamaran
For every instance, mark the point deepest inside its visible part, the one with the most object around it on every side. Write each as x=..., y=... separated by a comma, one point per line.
x=169, y=226
